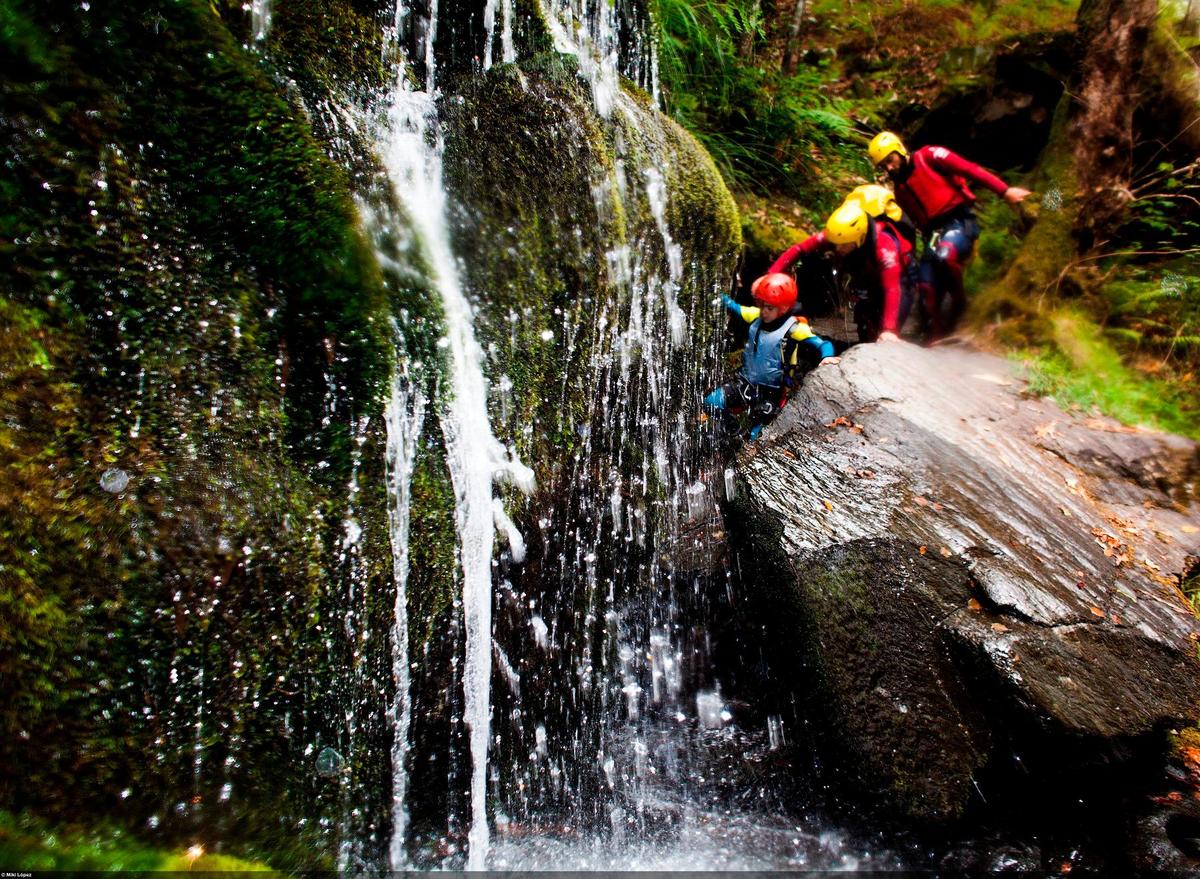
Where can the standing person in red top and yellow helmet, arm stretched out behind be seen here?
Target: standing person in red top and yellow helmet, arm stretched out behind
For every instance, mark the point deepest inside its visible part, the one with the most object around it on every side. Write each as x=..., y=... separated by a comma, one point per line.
x=932, y=188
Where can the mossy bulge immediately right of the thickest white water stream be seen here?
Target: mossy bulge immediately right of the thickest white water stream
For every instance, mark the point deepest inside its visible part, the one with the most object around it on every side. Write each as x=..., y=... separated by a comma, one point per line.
x=536, y=250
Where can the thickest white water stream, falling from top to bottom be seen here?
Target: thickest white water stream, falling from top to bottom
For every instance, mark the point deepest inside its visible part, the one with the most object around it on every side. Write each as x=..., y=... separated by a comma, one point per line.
x=411, y=147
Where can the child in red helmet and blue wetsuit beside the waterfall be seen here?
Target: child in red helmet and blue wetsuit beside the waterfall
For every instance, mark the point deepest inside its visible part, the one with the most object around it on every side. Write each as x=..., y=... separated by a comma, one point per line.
x=779, y=345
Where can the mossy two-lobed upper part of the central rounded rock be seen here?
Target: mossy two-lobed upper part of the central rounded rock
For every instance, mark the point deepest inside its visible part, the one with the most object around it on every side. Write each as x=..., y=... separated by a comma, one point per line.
x=544, y=190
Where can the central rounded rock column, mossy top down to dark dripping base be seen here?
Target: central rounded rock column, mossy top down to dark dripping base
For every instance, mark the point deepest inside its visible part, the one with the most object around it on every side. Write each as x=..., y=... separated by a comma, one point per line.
x=595, y=249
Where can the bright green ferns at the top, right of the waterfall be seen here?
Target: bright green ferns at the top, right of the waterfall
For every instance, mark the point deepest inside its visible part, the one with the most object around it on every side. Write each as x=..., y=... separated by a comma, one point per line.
x=764, y=129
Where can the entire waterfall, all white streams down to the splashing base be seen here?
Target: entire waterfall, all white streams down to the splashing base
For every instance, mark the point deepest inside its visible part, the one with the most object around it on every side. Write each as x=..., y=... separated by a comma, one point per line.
x=637, y=758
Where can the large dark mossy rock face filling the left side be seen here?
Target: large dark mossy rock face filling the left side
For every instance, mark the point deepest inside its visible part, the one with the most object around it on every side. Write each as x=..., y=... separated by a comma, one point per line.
x=195, y=358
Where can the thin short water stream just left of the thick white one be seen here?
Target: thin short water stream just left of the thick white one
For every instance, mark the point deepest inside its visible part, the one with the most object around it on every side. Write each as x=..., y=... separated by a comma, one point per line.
x=405, y=416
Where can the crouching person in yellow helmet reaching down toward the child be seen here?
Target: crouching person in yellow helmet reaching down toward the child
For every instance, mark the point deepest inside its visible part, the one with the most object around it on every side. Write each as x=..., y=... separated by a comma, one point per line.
x=879, y=260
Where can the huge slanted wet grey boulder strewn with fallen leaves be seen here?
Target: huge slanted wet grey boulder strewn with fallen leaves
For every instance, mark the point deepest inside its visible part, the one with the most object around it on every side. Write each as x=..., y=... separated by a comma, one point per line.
x=963, y=572
